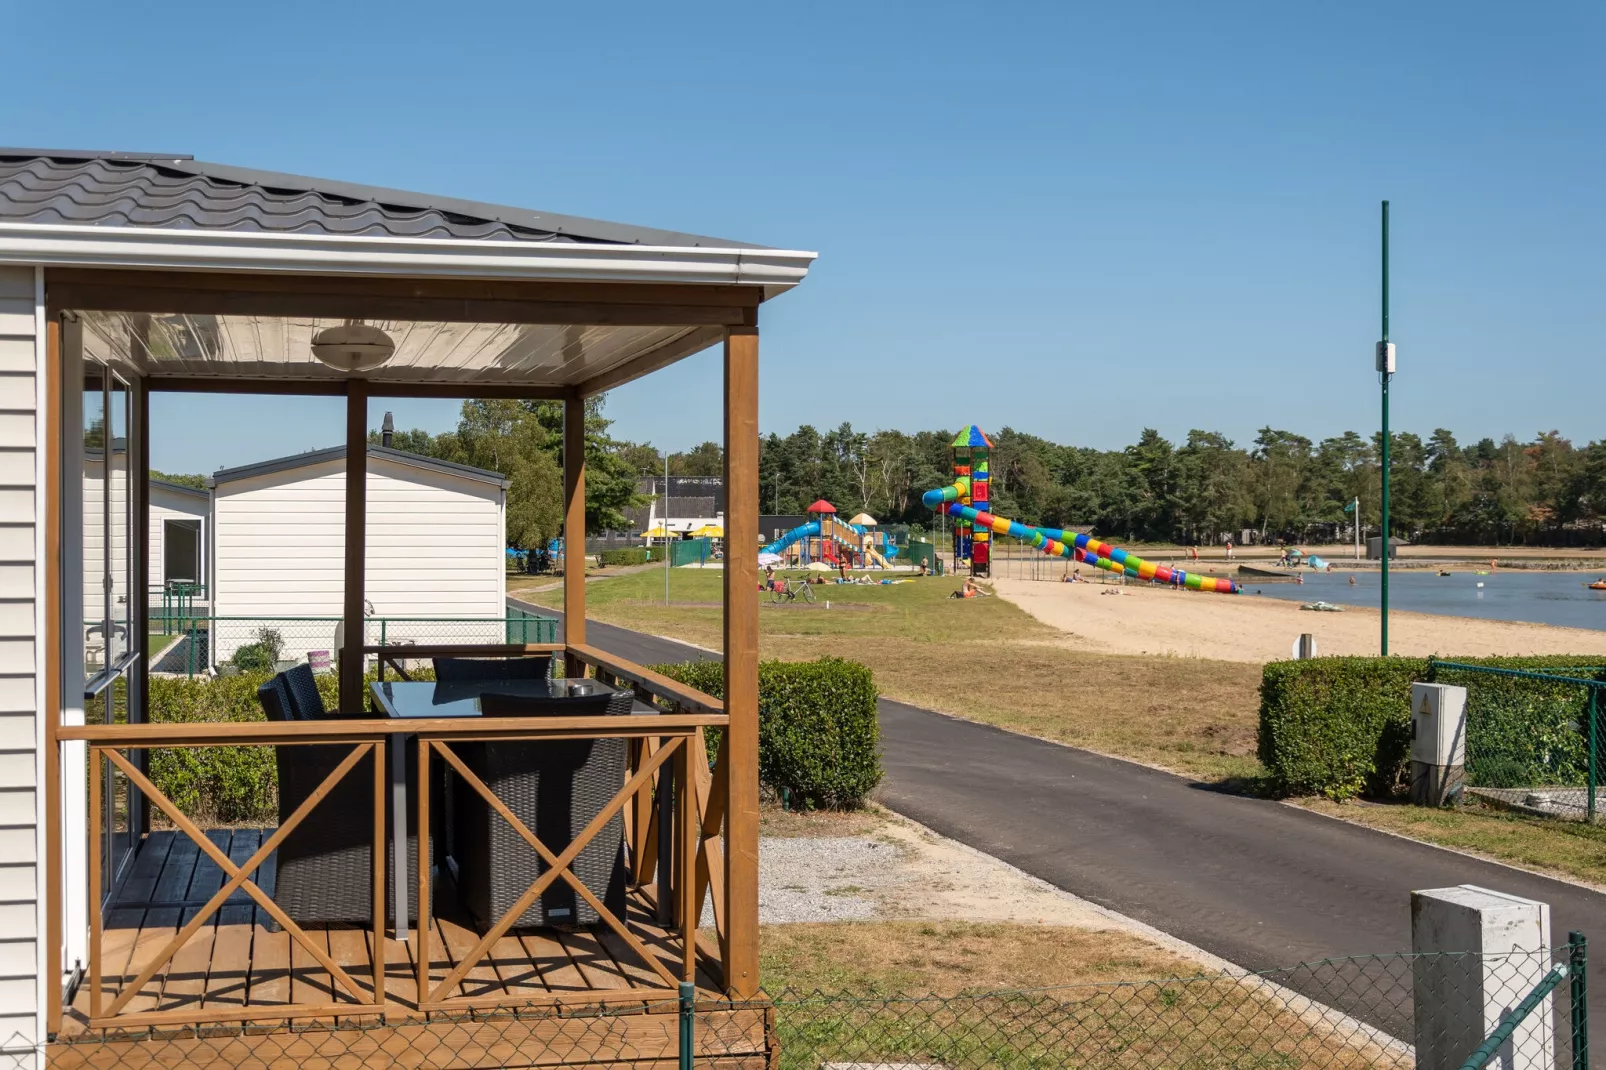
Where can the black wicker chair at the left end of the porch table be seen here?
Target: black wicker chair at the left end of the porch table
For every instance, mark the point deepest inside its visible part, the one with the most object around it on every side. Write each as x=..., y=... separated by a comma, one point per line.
x=325, y=865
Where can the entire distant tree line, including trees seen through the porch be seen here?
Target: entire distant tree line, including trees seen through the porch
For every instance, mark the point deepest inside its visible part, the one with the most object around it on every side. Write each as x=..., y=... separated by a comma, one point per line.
x=1284, y=486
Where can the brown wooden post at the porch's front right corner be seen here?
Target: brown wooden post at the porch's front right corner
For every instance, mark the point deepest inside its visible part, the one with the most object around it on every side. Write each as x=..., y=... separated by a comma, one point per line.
x=741, y=658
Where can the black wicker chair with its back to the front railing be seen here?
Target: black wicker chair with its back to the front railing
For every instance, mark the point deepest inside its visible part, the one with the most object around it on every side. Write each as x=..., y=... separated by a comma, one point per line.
x=555, y=788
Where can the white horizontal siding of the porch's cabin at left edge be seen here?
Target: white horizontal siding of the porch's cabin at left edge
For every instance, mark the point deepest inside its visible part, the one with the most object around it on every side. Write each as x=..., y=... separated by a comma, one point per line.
x=20, y=656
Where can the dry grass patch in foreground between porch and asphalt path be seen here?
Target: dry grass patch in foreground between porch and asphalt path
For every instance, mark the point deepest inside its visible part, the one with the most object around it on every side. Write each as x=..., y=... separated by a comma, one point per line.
x=1094, y=1015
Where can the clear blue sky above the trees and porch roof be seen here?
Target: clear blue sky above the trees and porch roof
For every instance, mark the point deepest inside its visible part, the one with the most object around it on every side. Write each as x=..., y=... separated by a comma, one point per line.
x=1074, y=219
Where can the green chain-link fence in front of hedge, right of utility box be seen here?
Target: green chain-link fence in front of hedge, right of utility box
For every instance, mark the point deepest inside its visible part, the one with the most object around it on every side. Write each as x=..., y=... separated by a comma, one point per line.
x=1535, y=738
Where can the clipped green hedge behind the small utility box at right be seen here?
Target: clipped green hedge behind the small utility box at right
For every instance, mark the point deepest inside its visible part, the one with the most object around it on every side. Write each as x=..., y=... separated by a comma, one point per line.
x=1340, y=727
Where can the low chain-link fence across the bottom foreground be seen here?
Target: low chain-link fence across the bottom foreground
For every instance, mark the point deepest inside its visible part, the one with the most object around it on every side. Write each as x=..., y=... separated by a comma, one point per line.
x=1392, y=1011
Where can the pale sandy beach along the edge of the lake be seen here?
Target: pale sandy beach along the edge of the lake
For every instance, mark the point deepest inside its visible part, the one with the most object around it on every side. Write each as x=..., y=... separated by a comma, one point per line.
x=1249, y=629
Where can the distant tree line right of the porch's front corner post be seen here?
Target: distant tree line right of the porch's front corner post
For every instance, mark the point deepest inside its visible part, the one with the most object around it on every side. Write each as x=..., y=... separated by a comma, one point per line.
x=1282, y=488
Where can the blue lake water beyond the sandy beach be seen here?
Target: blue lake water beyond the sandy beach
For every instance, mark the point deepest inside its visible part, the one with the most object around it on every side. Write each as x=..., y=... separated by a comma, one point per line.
x=1555, y=598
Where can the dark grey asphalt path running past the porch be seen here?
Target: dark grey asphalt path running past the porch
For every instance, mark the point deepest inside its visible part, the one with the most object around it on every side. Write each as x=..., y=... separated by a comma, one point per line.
x=1257, y=883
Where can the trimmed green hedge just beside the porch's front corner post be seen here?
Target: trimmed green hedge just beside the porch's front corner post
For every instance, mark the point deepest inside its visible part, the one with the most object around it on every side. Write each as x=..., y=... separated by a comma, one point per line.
x=818, y=735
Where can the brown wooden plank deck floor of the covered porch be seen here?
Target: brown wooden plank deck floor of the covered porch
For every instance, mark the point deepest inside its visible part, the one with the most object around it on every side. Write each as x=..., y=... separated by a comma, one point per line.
x=238, y=970
